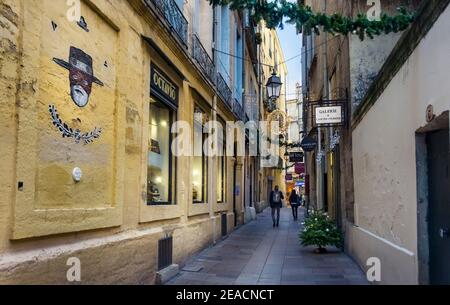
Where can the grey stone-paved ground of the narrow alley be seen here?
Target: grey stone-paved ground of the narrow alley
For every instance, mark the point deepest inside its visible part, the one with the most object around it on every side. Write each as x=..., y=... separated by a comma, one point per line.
x=258, y=254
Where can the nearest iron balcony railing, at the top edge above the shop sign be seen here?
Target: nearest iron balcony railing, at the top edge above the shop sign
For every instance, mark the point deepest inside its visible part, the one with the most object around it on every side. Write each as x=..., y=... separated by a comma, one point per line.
x=174, y=16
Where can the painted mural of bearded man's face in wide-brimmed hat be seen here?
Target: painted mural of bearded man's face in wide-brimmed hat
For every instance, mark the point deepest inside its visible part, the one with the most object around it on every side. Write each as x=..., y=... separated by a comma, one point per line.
x=81, y=75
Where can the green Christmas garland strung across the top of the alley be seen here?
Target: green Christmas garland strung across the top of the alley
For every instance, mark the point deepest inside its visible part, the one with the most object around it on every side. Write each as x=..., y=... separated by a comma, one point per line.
x=275, y=12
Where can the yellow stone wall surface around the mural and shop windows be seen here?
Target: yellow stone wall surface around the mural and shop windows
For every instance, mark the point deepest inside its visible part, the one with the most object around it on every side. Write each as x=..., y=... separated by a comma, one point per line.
x=104, y=219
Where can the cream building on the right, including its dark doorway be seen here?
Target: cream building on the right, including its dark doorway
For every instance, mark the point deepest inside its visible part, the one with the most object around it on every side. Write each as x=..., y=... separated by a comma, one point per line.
x=401, y=182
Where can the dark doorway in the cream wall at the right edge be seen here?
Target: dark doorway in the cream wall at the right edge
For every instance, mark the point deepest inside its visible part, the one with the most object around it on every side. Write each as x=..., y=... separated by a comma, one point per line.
x=433, y=201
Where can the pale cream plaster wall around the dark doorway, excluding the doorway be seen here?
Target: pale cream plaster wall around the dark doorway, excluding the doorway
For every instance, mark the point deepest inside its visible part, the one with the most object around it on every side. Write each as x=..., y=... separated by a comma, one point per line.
x=385, y=162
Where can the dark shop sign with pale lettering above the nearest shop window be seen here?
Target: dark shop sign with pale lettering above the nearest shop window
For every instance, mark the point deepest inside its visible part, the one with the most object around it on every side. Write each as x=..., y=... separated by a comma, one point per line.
x=163, y=88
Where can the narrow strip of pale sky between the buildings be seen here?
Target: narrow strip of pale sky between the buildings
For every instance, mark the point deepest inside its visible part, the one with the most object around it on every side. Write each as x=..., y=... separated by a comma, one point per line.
x=291, y=45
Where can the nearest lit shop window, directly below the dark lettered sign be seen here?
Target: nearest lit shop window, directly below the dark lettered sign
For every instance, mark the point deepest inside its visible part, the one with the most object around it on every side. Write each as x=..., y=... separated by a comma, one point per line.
x=161, y=162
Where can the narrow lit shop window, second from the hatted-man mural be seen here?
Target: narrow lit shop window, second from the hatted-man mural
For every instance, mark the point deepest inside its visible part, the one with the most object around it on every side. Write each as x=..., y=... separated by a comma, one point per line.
x=200, y=160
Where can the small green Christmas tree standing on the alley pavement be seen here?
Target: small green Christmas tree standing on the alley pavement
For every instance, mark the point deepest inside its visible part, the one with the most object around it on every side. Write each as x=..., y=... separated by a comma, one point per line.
x=319, y=230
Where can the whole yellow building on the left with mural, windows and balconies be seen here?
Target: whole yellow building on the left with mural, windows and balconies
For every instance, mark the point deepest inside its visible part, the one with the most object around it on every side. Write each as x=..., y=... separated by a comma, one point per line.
x=86, y=109
